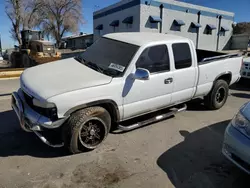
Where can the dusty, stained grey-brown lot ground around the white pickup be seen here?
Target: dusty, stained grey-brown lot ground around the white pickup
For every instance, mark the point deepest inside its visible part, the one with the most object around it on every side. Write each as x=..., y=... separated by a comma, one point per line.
x=184, y=151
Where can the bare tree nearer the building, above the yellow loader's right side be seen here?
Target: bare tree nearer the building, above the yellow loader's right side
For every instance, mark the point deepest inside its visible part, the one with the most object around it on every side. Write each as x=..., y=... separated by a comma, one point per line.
x=60, y=16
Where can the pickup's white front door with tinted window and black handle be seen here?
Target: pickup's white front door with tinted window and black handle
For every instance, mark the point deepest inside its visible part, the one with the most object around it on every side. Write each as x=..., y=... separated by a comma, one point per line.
x=143, y=96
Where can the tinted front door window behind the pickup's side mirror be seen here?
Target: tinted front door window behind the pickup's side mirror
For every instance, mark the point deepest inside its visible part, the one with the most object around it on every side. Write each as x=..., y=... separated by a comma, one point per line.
x=155, y=59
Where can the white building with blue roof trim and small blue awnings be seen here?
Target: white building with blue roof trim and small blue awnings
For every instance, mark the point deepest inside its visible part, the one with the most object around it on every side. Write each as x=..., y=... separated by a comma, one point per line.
x=208, y=28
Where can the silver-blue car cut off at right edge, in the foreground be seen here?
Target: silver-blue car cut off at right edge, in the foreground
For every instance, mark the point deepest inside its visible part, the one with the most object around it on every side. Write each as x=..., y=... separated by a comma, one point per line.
x=236, y=145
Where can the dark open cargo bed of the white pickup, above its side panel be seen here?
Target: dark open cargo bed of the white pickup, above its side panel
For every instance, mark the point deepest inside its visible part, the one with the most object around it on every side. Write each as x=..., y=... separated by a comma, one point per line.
x=205, y=56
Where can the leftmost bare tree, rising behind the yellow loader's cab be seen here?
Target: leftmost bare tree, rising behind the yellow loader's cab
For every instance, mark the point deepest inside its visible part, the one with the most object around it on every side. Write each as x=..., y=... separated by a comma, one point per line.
x=23, y=14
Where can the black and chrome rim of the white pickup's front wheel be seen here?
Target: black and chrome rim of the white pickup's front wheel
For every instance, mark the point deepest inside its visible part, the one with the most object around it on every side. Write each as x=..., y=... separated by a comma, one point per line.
x=92, y=133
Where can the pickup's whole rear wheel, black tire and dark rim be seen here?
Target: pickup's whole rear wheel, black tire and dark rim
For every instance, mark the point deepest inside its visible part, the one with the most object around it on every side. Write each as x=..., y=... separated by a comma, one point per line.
x=217, y=96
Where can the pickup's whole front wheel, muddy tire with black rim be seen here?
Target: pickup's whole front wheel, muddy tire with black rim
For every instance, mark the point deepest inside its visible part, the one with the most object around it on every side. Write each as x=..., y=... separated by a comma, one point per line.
x=94, y=125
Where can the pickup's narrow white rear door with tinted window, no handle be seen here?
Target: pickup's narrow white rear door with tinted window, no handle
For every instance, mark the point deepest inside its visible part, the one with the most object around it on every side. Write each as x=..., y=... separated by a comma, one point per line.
x=184, y=73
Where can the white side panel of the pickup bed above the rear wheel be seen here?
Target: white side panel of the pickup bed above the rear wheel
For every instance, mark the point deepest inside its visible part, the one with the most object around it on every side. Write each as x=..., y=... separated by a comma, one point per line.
x=209, y=72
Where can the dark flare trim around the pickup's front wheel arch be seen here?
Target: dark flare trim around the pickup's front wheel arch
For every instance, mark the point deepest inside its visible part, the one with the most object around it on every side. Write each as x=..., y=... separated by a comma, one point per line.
x=115, y=108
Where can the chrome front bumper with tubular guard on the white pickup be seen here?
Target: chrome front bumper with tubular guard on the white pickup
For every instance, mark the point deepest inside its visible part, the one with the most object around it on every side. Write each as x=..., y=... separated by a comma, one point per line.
x=31, y=121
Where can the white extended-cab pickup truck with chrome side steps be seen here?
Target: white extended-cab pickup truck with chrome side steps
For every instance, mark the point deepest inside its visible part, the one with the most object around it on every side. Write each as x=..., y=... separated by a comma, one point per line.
x=120, y=77
